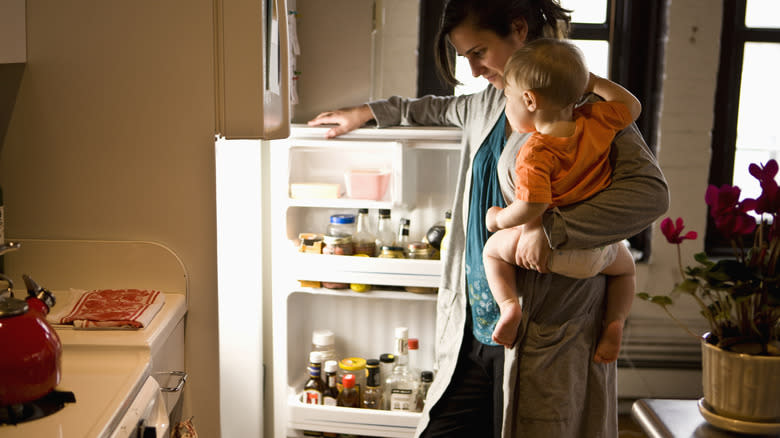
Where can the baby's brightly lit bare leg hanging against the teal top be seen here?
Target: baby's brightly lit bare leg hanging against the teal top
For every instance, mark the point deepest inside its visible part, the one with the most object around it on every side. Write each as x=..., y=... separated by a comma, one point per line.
x=498, y=255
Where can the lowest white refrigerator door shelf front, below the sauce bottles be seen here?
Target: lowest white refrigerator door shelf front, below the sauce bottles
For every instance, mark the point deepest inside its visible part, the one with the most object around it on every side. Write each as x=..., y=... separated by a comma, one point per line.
x=351, y=420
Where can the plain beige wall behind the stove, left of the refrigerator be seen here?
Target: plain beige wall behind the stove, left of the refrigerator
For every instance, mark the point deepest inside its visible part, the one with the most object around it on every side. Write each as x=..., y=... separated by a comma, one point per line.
x=111, y=137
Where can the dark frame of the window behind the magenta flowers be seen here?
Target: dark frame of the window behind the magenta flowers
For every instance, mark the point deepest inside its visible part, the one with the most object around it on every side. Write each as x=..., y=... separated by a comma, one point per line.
x=734, y=35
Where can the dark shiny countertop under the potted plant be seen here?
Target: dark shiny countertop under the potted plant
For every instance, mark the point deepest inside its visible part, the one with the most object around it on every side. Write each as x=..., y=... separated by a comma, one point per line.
x=668, y=418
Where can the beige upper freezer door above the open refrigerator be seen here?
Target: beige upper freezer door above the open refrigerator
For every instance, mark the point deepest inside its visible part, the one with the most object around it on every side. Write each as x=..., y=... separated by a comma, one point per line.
x=252, y=69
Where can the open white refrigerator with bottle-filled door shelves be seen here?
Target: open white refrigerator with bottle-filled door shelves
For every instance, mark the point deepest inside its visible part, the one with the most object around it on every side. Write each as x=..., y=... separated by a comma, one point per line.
x=260, y=219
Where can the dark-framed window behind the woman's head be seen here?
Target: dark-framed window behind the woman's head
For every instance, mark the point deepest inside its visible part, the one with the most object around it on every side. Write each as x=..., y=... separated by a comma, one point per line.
x=621, y=40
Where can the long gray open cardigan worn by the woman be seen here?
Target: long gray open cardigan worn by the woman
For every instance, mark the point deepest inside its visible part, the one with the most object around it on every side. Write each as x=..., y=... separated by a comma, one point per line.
x=551, y=385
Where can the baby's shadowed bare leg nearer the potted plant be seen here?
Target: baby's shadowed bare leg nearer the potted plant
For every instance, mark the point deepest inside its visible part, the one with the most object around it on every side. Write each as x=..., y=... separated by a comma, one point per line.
x=620, y=294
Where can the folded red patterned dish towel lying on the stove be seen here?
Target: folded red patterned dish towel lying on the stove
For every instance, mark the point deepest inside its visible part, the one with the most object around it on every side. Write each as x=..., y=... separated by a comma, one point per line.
x=125, y=308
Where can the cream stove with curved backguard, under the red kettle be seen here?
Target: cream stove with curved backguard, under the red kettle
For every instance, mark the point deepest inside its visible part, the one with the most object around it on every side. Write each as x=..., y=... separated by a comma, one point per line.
x=109, y=372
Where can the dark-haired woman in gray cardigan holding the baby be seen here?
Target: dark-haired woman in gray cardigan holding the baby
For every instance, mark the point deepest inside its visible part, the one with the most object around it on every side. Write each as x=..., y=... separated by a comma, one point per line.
x=547, y=384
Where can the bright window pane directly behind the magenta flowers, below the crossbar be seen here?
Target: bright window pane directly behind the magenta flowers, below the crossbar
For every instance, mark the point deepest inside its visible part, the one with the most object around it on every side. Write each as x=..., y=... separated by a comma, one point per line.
x=756, y=140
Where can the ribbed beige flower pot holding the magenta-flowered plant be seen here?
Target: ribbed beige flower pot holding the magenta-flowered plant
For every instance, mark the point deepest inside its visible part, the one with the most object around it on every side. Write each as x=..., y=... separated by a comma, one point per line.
x=741, y=386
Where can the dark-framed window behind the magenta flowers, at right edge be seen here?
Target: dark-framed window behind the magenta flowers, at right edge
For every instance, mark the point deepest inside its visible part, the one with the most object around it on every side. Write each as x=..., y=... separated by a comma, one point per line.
x=745, y=98
